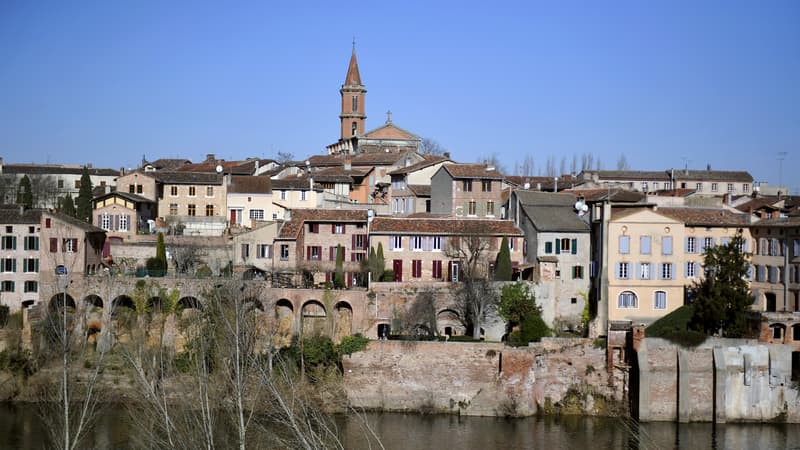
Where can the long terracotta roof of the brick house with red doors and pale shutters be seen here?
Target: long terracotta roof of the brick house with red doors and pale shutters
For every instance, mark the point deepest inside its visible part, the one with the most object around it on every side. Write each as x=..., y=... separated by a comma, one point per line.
x=443, y=226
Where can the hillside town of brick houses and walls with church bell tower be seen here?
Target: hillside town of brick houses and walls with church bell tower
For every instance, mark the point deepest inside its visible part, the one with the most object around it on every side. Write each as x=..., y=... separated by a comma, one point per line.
x=353, y=241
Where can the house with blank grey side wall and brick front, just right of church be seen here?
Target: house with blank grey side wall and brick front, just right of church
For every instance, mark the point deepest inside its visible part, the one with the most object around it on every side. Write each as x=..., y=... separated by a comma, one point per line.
x=467, y=190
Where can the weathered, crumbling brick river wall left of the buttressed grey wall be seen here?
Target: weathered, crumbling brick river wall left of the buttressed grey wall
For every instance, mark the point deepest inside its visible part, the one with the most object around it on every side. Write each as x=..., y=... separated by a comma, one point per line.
x=556, y=376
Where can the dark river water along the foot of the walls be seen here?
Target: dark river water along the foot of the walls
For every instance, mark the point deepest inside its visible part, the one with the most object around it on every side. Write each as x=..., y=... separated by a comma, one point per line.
x=20, y=428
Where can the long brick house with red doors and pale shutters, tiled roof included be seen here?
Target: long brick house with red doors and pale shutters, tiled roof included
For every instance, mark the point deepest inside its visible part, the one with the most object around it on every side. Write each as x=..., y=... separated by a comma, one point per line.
x=435, y=248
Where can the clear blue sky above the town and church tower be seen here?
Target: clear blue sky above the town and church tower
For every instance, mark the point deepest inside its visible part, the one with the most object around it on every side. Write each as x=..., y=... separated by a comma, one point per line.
x=664, y=83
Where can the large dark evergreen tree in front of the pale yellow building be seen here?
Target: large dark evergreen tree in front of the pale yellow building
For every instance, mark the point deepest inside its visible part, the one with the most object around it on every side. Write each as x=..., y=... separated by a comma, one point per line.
x=723, y=296
